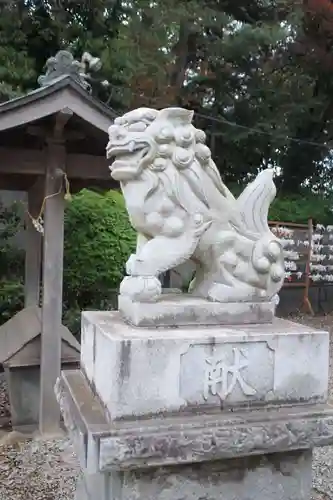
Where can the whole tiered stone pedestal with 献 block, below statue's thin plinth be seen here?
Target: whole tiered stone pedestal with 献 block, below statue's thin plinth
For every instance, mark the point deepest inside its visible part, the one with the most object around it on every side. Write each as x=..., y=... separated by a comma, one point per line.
x=197, y=412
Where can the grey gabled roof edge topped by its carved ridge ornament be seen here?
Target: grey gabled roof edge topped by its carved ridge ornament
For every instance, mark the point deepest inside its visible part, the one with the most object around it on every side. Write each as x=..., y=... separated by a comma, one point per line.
x=65, y=84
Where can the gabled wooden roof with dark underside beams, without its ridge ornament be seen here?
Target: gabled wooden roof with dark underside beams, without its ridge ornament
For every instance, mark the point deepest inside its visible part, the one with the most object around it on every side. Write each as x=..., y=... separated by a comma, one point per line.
x=24, y=122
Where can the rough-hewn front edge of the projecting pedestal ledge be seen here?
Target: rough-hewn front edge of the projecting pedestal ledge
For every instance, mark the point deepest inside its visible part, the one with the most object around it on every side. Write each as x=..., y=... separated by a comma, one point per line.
x=209, y=440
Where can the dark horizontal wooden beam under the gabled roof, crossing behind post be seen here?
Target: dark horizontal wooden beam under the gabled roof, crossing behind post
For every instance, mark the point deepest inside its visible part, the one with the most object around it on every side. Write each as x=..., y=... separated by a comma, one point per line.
x=31, y=162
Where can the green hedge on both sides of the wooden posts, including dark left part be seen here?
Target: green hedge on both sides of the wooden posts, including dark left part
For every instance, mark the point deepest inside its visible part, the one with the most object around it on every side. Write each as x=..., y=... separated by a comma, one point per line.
x=98, y=241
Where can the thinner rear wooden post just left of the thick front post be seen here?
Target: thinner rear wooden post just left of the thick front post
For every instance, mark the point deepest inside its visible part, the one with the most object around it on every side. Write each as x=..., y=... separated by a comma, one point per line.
x=33, y=252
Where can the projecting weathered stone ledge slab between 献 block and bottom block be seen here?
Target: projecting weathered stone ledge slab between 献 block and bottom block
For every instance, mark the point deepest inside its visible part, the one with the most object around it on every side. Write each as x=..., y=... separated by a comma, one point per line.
x=187, y=439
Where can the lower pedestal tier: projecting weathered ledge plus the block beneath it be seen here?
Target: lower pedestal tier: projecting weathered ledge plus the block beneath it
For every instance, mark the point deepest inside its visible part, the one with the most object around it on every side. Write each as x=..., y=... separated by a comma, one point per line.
x=240, y=455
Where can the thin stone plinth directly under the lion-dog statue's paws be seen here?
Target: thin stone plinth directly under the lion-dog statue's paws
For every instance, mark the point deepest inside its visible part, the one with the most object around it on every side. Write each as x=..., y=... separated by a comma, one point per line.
x=184, y=310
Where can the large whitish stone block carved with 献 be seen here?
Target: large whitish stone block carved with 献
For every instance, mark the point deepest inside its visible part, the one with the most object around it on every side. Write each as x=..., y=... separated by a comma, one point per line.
x=139, y=371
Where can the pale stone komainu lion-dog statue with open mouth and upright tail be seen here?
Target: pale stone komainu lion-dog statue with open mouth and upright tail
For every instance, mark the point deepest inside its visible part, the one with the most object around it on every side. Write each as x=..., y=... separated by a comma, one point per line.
x=182, y=210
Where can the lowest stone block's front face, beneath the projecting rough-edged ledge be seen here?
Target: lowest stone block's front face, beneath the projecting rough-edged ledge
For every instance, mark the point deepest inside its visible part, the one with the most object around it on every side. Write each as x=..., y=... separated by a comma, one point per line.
x=274, y=477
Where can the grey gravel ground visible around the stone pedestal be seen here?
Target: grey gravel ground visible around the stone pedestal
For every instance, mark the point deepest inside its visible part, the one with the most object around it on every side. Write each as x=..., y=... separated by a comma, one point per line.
x=48, y=470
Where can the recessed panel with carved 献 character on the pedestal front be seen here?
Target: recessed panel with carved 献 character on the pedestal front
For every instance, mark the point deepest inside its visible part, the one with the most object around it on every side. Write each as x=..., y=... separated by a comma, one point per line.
x=232, y=373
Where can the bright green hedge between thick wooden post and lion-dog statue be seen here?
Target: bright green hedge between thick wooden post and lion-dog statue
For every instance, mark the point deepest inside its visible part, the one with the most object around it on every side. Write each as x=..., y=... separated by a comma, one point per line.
x=98, y=241
